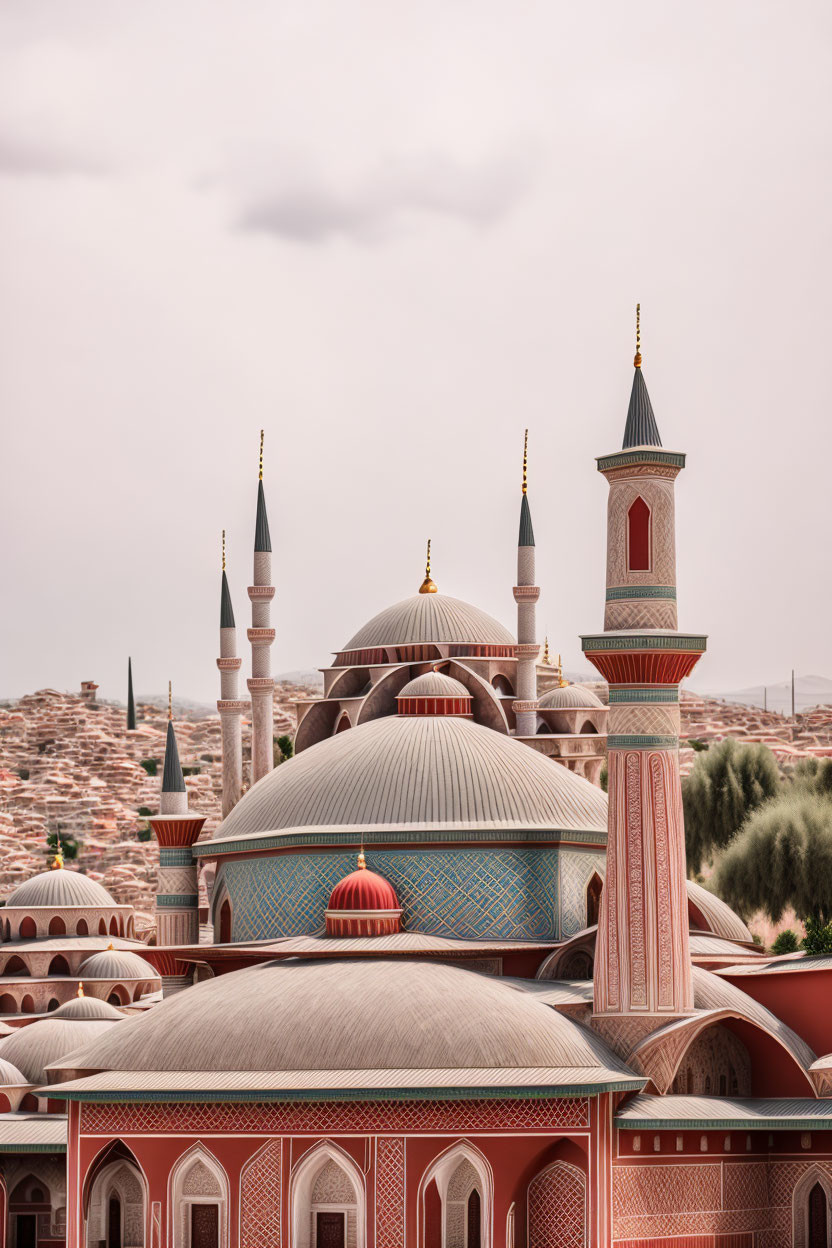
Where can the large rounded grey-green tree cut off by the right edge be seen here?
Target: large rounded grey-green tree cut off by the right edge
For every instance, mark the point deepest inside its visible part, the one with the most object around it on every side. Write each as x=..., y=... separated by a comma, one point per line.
x=783, y=858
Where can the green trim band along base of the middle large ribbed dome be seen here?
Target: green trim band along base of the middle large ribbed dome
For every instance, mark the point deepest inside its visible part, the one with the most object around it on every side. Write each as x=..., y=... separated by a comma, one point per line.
x=352, y=838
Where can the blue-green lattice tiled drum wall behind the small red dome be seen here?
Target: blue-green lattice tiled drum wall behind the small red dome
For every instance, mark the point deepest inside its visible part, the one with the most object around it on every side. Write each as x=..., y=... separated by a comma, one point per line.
x=508, y=894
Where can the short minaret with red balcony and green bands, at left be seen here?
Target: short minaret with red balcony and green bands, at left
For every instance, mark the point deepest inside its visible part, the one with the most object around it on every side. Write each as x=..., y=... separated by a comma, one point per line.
x=178, y=907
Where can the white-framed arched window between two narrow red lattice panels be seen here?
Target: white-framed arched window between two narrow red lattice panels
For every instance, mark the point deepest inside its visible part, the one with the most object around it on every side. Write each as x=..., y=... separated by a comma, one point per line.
x=327, y=1201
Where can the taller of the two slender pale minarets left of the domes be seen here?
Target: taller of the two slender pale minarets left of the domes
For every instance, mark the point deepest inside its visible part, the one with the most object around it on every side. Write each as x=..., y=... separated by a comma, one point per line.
x=261, y=636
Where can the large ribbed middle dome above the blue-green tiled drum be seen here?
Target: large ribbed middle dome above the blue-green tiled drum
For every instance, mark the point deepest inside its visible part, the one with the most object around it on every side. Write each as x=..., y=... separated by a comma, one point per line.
x=420, y=773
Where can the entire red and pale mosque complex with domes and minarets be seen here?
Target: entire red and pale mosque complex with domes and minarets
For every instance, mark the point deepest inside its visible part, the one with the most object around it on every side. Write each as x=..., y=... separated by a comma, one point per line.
x=455, y=997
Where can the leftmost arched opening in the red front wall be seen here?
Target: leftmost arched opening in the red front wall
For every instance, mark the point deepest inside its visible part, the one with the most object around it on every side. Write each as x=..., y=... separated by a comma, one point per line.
x=117, y=1202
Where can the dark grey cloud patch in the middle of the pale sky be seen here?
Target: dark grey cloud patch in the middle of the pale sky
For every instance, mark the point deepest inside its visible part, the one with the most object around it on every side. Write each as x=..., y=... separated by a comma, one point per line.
x=305, y=209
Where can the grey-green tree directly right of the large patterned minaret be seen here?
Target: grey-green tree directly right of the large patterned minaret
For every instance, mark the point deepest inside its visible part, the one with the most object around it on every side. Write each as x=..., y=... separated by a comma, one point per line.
x=728, y=783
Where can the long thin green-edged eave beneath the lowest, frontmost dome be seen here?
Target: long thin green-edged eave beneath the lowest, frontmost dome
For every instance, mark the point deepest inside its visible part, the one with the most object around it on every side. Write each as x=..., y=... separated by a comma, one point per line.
x=475, y=1094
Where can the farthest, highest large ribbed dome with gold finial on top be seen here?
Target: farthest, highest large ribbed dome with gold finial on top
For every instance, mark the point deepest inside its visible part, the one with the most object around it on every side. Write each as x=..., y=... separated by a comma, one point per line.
x=427, y=618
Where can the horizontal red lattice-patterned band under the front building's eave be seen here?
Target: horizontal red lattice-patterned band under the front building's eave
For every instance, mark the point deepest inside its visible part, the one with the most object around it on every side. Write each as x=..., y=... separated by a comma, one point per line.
x=329, y=1116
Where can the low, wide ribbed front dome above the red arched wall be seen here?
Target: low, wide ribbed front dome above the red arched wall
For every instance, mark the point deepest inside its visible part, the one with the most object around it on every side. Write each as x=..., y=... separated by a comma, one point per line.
x=356, y=1015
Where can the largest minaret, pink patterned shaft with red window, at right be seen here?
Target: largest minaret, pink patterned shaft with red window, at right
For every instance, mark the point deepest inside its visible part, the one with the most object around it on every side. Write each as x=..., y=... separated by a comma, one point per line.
x=643, y=965
